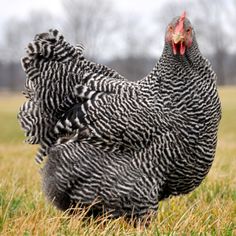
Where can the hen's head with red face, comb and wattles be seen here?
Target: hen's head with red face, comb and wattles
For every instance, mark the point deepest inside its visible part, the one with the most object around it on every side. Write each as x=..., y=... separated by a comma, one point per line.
x=179, y=34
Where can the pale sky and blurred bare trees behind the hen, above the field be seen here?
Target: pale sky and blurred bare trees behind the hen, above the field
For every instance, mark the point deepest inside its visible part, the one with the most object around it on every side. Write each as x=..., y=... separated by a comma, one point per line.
x=126, y=35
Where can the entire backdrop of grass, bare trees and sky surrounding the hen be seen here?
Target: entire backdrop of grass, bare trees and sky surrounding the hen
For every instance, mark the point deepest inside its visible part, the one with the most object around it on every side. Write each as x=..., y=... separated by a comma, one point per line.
x=127, y=35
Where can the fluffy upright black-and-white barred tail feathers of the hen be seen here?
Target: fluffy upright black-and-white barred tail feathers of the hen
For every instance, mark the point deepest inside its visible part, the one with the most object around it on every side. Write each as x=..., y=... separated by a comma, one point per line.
x=54, y=68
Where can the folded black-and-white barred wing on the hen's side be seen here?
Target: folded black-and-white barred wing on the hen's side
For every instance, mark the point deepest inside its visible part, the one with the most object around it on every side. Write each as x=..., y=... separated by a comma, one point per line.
x=124, y=120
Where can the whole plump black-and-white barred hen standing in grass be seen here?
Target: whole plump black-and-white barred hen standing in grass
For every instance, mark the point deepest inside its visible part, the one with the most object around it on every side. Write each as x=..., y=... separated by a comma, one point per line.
x=126, y=145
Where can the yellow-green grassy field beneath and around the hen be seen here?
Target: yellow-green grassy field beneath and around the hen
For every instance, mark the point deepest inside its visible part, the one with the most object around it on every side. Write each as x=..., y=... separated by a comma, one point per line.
x=209, y=210
